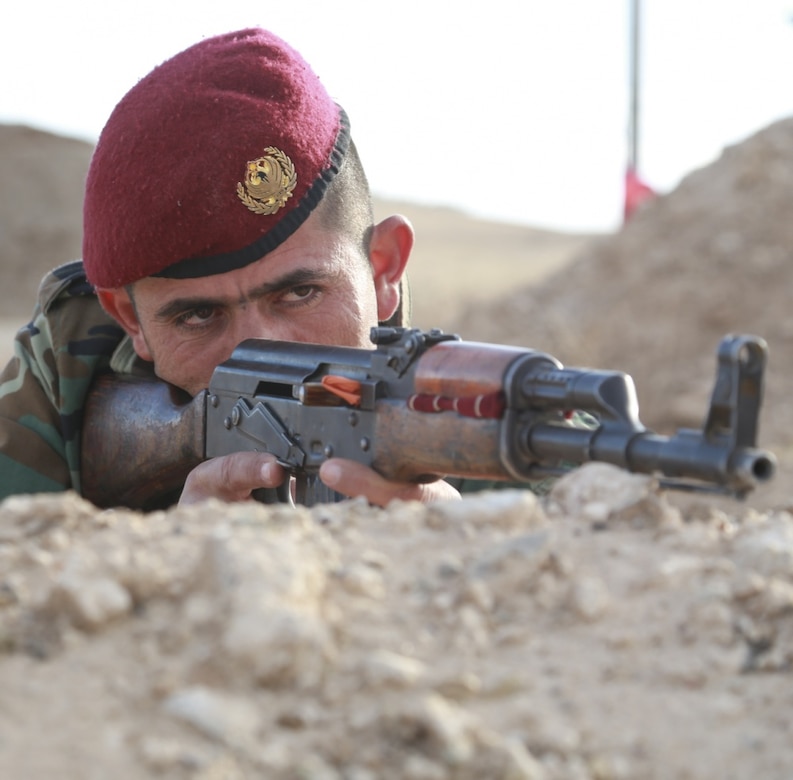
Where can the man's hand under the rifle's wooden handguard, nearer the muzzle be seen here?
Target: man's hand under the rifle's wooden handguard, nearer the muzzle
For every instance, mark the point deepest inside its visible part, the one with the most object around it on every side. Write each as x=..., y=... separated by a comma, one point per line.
x=354, y=479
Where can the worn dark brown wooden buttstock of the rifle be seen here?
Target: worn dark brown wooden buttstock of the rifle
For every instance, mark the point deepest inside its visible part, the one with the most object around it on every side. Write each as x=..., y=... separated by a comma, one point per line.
x=144, y=437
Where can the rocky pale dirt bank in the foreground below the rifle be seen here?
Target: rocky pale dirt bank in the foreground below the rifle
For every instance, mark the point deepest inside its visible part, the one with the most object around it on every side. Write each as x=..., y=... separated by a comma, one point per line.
x=594, y=636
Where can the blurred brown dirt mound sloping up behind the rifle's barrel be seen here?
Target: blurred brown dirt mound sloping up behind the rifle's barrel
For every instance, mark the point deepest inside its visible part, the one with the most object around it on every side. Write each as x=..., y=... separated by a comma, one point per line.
x=654, y=300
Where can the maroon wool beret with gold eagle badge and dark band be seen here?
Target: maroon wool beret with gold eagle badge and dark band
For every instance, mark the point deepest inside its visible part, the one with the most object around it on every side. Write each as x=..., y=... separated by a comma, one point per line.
x=209, y=162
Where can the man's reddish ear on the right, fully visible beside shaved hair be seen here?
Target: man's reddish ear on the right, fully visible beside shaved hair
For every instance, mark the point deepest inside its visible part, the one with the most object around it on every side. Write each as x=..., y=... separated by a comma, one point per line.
x=391, y=244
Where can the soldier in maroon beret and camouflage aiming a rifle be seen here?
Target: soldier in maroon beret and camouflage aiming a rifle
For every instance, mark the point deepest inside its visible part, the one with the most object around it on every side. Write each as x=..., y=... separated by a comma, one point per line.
x=225, y=200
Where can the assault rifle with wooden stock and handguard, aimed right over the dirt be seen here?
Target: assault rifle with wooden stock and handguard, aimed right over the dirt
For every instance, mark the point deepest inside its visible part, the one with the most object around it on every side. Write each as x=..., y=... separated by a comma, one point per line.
x=419, y=406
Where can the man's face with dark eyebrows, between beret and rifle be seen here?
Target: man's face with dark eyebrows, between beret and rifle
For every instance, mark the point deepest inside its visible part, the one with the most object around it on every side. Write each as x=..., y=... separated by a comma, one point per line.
x=316, y=287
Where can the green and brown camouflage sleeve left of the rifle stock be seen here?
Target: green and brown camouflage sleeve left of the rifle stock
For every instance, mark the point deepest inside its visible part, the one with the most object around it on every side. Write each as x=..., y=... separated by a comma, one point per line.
x=42, y=389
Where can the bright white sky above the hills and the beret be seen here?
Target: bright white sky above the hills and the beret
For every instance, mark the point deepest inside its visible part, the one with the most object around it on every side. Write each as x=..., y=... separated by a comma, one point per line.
x=514, y=110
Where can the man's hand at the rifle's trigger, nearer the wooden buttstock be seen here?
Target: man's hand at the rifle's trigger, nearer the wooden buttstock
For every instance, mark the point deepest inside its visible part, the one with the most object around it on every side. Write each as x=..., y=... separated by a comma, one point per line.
x=232, y=477
